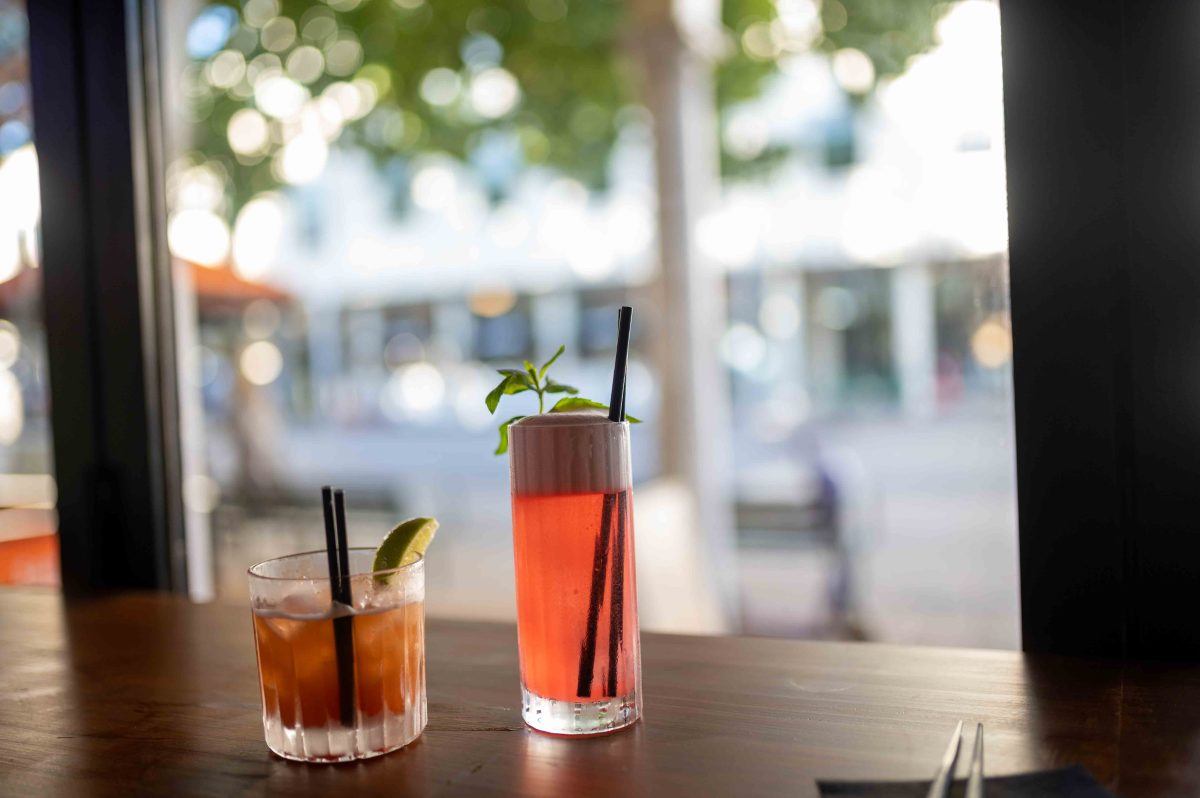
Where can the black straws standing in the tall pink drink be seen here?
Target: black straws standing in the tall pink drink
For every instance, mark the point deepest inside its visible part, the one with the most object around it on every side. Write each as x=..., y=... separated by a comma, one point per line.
x=601, y=559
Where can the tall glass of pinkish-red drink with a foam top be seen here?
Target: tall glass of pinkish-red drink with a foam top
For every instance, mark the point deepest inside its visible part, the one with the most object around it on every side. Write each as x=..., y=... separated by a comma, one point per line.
x=573, y=537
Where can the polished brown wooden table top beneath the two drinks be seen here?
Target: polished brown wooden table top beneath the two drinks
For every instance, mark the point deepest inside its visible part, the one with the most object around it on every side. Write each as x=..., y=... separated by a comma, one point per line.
x=152, y=695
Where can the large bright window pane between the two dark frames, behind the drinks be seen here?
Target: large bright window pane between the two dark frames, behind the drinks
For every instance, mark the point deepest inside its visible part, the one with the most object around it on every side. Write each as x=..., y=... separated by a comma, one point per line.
x=368, y=229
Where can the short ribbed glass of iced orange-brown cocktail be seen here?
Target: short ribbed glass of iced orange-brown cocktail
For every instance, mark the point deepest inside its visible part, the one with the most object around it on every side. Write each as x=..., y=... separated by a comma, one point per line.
x=305, y=683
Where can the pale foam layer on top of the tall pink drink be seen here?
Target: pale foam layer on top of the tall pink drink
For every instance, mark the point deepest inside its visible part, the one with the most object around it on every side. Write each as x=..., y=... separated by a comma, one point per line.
x=568, y=453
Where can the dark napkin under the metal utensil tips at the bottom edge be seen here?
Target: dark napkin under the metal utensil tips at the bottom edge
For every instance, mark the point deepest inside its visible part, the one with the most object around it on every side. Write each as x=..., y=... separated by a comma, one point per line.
x=1065, y=783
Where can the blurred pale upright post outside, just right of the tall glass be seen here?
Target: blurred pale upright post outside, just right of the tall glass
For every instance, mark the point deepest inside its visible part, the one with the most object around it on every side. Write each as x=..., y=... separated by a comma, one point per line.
x=688, y=298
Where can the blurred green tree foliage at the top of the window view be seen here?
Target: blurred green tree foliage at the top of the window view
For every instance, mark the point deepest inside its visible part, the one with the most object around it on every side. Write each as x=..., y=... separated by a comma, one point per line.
x=496, y=83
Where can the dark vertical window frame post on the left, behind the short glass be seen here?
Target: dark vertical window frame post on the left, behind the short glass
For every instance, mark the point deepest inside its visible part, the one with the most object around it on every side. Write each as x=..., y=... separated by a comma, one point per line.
x=107, y=295
